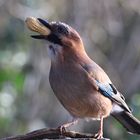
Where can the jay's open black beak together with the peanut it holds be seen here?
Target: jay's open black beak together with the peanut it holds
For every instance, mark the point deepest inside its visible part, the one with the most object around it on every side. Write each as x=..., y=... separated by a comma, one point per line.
x=40, y=26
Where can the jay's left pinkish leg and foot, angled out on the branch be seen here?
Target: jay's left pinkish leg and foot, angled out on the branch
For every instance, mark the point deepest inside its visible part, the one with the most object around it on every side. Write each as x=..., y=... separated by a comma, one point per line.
x=68, y=124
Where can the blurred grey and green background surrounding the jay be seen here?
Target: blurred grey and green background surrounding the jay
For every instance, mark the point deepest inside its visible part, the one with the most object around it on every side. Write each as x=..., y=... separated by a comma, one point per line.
x=111, y=33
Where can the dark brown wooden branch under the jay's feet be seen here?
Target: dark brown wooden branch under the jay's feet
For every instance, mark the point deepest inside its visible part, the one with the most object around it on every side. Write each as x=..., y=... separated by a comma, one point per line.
x=52, y=134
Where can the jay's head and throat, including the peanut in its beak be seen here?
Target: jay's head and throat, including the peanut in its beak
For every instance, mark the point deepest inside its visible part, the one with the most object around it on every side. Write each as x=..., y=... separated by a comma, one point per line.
x=62, y=39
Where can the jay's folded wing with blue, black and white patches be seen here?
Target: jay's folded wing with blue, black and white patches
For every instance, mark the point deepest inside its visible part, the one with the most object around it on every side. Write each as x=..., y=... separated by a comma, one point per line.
x=106, y=88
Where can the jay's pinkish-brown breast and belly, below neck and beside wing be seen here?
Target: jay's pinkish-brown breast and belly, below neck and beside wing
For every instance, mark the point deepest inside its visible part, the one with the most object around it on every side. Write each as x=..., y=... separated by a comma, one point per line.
x=77, y=94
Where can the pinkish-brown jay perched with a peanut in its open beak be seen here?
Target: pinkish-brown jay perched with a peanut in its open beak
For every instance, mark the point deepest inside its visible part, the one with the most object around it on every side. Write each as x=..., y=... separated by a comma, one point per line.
x=81, y=85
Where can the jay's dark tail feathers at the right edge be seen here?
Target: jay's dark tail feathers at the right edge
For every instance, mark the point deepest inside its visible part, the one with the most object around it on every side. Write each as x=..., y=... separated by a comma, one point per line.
x=131, y=124
